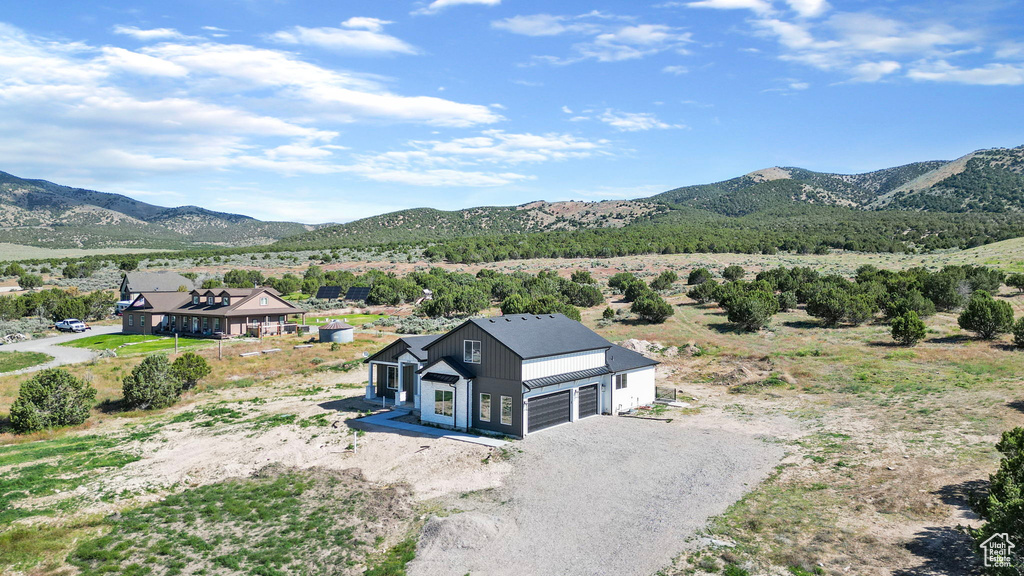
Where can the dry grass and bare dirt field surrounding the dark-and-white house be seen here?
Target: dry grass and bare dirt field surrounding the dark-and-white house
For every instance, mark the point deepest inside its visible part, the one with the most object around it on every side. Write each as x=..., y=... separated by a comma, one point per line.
x=891, y=441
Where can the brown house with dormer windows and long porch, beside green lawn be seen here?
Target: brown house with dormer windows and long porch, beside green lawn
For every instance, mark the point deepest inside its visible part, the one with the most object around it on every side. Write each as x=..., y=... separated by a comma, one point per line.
x=218, y=312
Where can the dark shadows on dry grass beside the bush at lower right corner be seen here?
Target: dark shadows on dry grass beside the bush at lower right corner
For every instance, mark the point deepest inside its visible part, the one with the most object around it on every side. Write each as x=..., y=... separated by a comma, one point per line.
x=947, y=551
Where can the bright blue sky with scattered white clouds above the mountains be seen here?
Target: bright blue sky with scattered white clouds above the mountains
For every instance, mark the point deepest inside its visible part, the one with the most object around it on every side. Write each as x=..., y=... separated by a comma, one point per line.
x=330, y=111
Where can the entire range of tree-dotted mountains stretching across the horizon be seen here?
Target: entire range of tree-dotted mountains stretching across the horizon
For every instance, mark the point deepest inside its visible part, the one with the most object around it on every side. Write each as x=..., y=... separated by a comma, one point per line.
x=42, y=214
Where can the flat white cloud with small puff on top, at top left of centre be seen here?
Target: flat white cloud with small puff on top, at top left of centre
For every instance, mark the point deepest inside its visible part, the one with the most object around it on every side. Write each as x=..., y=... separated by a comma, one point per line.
x=357, y=35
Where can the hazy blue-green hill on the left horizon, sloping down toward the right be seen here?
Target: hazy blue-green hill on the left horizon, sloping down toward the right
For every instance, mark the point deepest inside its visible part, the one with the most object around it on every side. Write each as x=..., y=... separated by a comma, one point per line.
x=42, y=214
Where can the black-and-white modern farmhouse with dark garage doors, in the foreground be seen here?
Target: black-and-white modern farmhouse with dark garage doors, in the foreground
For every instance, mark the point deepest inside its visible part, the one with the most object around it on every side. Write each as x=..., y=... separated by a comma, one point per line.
x=511, y=375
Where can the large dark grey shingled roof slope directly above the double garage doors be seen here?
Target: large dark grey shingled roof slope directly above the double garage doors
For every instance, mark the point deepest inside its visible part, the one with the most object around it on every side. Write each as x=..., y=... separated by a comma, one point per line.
x=531, y=336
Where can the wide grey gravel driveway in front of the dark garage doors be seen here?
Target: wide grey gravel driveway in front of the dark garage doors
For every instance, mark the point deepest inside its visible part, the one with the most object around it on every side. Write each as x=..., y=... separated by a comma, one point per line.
x=602, y=497
